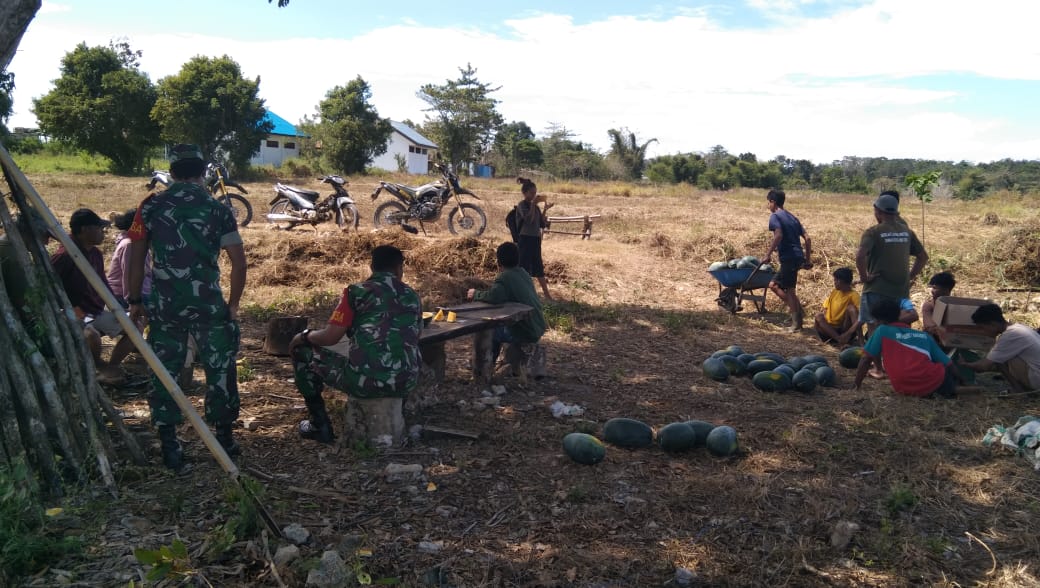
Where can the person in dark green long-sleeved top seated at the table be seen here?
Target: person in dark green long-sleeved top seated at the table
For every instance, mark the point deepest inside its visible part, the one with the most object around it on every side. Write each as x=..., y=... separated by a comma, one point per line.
x=513, y=285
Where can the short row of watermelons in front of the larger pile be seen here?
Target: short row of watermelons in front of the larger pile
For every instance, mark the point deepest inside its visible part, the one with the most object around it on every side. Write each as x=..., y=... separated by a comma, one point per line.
x=636, y=434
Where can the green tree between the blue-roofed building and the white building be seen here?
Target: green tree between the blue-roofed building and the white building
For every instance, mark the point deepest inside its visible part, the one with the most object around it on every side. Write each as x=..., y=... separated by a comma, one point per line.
x=349, y=129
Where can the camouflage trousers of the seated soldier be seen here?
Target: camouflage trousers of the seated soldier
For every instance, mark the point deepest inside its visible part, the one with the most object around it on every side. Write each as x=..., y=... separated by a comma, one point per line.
x=315, y=368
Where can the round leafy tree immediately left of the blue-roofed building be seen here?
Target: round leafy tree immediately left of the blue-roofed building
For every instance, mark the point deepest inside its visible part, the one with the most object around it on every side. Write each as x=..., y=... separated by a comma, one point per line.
x=211, y=105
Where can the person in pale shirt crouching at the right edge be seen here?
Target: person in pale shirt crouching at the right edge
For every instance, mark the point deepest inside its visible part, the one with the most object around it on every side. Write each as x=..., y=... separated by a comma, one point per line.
x=1017, y=353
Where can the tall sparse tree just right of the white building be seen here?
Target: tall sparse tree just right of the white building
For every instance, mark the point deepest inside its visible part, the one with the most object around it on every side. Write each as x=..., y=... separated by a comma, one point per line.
x=464, y=117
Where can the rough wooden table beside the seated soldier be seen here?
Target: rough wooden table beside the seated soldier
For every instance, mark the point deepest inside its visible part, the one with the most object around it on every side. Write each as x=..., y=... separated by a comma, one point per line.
x=478, y=319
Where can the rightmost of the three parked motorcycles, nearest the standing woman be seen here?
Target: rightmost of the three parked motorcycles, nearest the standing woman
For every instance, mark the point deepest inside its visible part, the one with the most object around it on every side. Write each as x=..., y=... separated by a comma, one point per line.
x=426, y=204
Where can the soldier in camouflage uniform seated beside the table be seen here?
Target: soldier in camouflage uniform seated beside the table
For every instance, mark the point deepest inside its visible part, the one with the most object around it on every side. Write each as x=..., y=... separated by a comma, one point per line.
x=379, y=357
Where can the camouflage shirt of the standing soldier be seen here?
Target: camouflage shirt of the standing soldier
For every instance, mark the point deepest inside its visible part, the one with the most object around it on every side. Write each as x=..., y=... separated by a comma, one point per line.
x=187, y=229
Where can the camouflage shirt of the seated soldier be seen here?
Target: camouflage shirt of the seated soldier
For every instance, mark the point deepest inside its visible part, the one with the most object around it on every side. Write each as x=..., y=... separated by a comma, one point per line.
x=383, y=317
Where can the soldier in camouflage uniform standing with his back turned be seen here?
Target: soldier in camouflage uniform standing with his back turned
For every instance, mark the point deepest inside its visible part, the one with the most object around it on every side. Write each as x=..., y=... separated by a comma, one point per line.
x=187, y=229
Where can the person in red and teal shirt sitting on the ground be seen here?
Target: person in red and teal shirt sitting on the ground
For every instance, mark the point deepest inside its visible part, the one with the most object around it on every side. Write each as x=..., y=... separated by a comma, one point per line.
x=916, y=365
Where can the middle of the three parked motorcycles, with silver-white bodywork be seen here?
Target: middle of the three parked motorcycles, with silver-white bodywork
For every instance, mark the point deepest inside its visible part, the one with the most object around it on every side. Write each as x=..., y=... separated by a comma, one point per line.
x=294, y=207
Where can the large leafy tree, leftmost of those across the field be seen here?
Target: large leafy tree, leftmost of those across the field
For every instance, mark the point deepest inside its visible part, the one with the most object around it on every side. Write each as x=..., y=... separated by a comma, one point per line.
x=102, y=105
